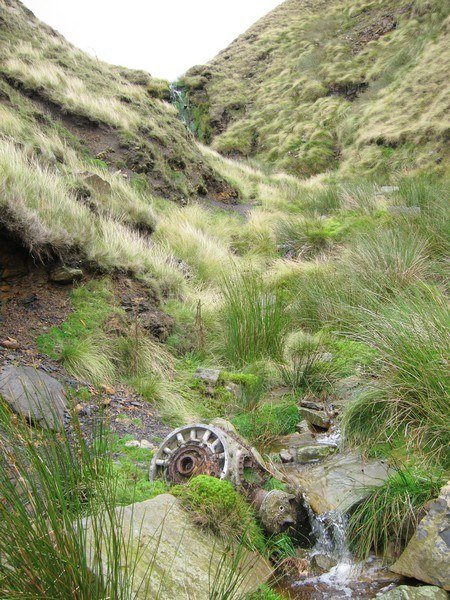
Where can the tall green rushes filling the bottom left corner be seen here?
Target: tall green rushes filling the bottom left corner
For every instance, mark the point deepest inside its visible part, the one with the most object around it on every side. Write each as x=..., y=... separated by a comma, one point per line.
x=48, y=482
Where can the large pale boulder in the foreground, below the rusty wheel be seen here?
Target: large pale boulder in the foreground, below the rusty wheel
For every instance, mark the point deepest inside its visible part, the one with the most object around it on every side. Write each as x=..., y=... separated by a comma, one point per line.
x=177, y=559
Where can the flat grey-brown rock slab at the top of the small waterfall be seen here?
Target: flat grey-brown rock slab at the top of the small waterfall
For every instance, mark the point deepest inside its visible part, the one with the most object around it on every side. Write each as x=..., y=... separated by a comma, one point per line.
x=336, y=483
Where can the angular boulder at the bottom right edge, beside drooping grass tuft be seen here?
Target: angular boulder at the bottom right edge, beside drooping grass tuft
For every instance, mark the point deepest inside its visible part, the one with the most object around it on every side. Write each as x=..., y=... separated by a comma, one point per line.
x=427, y=556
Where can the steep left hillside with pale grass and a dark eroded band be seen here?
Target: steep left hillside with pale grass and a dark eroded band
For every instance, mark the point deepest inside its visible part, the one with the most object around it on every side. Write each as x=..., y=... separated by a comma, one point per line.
x=86, y=147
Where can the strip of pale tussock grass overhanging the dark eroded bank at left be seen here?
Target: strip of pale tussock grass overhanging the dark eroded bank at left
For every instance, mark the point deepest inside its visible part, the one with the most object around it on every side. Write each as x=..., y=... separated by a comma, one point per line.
x=38, y=206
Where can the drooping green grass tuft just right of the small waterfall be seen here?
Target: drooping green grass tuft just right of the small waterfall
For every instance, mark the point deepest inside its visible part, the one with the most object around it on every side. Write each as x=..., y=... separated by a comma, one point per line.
x=385, y=520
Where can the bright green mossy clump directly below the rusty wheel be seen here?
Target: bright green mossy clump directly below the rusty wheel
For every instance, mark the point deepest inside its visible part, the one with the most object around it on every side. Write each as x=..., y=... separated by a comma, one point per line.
x=217, y=506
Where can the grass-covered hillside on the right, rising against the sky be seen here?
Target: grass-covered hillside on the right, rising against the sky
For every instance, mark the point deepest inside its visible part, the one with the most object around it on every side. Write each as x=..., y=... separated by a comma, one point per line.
x=320, y=85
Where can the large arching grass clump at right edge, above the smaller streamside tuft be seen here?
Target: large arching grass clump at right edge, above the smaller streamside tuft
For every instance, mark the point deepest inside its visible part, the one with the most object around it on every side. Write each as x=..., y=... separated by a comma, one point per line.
x=410, y=337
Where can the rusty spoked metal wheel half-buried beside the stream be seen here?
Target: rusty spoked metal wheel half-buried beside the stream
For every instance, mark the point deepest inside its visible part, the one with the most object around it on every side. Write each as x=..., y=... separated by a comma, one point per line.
x=189, y=451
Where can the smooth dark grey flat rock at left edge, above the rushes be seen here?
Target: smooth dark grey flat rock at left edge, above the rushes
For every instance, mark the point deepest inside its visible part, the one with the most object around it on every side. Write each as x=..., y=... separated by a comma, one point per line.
x=34, y=394
